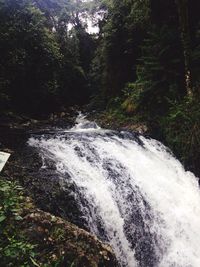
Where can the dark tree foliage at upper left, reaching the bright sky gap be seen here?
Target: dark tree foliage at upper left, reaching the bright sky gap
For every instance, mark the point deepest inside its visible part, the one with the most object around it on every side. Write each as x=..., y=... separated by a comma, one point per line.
x=43, y=63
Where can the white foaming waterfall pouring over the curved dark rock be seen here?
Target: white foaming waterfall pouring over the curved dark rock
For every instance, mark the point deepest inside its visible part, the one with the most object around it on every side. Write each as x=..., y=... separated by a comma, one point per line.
x=139, y=197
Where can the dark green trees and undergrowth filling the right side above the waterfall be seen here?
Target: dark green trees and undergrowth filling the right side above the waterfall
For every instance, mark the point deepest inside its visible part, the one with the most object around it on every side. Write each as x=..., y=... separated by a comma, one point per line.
x=146, y=70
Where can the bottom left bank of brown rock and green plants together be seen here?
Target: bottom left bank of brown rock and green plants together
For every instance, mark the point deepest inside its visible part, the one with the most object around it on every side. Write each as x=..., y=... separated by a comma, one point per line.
x=32, y=237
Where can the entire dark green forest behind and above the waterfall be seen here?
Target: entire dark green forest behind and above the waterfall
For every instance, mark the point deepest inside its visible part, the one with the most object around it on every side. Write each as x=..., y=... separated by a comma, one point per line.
x=143, y=63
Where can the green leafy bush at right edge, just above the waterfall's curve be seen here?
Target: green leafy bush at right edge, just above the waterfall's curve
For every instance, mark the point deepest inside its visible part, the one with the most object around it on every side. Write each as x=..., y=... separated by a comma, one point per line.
x=181, y=128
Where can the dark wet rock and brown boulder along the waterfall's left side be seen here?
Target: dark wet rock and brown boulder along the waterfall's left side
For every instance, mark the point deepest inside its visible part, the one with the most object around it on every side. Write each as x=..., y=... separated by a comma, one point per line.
x=55, y=208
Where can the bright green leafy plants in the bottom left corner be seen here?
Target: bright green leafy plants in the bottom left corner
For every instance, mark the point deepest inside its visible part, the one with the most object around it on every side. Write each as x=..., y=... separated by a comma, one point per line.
x=15, y=250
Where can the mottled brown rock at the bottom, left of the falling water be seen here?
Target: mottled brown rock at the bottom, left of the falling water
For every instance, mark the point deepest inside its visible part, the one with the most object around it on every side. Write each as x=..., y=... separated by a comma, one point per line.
x=57, y=238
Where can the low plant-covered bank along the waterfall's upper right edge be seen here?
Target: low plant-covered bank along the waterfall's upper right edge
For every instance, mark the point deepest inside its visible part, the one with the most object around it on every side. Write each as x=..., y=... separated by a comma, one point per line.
x=179, y=130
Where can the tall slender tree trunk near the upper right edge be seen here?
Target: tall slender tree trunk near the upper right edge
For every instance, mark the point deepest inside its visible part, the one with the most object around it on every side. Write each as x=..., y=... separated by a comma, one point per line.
x=182, y=6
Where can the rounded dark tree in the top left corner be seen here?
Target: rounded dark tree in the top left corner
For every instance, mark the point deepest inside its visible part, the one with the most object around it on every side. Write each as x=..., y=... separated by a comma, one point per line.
x=30, y=57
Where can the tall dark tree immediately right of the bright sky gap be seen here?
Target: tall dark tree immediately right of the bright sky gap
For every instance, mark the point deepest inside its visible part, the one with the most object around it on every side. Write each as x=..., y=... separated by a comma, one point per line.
x=117, y=52
